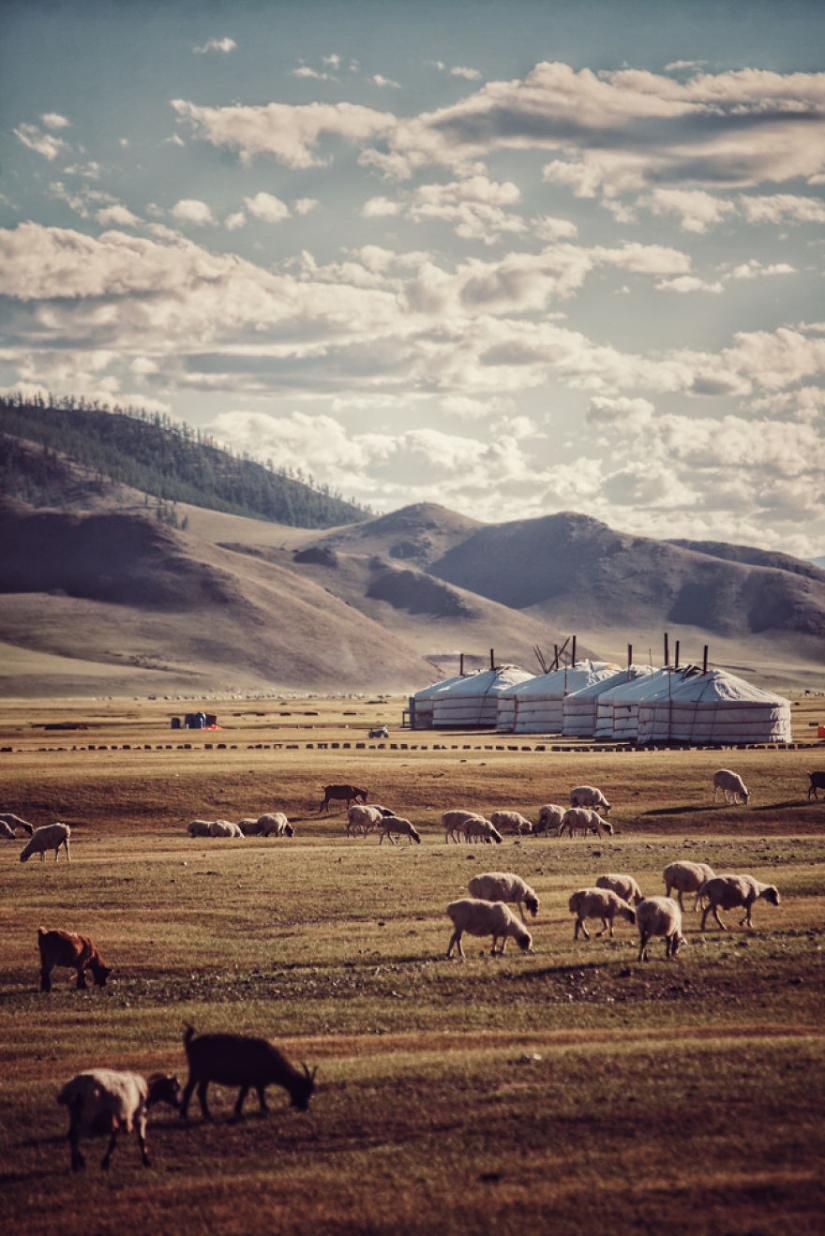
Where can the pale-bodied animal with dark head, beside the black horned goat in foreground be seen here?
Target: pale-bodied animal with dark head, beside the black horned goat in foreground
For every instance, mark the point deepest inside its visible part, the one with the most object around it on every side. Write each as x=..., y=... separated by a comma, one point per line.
x=106, y=1102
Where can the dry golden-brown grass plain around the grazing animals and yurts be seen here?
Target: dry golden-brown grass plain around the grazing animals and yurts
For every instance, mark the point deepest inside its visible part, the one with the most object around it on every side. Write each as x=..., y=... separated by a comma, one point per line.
x=563, y=1091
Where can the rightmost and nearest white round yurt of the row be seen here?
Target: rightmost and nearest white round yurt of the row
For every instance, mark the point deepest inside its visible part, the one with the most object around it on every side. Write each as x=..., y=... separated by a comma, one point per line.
x=716, y=708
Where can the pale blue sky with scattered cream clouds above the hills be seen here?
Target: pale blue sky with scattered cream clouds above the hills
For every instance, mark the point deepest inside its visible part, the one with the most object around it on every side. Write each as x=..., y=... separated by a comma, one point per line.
x=513, y=256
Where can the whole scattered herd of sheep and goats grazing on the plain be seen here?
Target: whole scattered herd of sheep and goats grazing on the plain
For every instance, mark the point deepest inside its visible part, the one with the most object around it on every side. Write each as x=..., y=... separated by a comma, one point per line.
x=107, y=1102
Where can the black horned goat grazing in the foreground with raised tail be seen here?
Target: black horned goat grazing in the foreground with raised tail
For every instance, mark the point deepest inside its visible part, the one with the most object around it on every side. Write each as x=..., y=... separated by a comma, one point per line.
x=244, y=1062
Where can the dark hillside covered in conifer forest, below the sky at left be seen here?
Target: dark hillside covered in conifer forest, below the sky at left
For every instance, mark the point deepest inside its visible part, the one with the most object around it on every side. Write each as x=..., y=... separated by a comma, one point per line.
x=156, y=455
